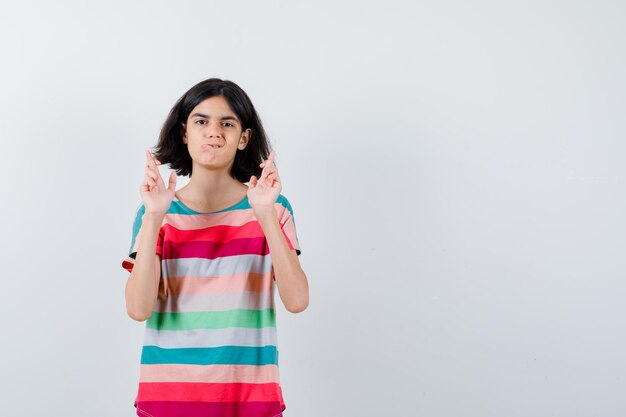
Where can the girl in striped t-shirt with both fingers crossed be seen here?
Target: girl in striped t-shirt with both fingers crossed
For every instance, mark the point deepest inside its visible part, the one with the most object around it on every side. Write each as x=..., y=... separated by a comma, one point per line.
x=205, y=260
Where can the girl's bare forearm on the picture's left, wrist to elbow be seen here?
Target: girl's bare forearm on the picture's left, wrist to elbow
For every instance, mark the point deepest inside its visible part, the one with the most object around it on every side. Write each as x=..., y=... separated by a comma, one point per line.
x=143, y=284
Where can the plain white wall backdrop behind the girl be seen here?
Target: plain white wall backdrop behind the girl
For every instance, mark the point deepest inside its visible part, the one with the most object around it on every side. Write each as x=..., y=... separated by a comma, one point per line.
x=456, y=171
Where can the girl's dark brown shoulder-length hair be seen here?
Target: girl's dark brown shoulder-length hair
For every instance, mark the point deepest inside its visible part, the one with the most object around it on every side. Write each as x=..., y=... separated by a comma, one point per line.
x=171, y=149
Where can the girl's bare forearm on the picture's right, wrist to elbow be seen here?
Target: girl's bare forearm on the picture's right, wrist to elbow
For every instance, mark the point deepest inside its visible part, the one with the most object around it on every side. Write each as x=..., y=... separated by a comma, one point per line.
x=293, y=286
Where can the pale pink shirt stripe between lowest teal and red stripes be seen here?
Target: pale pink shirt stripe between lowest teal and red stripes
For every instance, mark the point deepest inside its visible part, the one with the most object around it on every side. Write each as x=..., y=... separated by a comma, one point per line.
x=209, y=373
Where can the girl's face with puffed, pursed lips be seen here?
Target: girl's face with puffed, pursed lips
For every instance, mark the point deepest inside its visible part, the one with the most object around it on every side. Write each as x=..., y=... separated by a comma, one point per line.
x=213, y=134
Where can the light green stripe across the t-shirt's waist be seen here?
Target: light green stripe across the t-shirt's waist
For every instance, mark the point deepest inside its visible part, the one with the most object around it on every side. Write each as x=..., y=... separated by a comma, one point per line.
x=212, y=319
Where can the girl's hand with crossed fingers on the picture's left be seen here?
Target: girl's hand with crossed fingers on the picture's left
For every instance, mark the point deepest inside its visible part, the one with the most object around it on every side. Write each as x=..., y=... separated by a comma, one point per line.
x=156, y=198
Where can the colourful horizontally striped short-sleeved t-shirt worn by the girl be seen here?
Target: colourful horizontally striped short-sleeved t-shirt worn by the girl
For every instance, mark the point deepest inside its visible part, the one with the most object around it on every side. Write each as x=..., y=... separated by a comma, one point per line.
x=210, y=346
